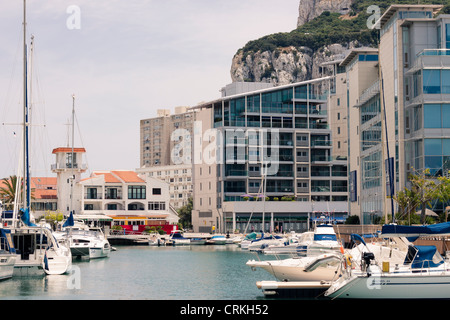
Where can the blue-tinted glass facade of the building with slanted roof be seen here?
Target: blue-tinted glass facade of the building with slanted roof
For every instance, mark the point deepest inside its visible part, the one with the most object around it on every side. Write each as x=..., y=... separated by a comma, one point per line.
x=295, y=121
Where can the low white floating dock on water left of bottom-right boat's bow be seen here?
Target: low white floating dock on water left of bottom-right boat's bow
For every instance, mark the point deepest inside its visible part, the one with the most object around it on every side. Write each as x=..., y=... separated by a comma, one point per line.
x=279, y=289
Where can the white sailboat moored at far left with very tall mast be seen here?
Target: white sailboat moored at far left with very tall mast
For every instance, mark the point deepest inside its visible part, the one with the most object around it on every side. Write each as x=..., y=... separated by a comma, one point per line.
x=37, y=251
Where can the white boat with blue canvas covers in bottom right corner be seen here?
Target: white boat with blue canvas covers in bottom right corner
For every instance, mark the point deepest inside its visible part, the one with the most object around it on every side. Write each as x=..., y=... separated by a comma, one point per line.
x=424, y=274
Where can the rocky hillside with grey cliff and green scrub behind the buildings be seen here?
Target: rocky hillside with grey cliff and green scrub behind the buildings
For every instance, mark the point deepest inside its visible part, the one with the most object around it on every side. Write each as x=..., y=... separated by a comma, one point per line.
x=326, y=30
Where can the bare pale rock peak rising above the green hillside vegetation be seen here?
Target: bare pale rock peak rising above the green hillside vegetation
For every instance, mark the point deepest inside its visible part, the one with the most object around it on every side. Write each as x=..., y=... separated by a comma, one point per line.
x=309, y=9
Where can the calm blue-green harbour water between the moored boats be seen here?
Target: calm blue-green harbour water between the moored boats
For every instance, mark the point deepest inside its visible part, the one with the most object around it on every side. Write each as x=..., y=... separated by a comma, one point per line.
x=154, y=273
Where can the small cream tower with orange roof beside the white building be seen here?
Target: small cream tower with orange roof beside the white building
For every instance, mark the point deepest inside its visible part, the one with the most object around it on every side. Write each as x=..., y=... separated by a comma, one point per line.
x=68, y=167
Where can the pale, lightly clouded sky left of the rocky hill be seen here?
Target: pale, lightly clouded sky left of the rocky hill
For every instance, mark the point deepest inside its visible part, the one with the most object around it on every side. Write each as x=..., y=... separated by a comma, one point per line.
x=122, y=60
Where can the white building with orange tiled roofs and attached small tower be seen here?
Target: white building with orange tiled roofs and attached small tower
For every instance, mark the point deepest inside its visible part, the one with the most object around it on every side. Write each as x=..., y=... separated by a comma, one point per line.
x=122, y=195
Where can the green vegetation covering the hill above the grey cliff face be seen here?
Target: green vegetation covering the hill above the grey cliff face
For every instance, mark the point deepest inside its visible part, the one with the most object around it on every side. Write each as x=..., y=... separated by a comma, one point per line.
x=331, y=28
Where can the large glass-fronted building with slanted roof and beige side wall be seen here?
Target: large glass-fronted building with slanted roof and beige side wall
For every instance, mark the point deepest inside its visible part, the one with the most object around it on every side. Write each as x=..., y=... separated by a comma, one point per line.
x=273, y=144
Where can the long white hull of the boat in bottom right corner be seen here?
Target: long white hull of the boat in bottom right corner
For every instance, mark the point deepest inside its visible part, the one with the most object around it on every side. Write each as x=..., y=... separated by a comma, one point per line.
x=411, y=286
